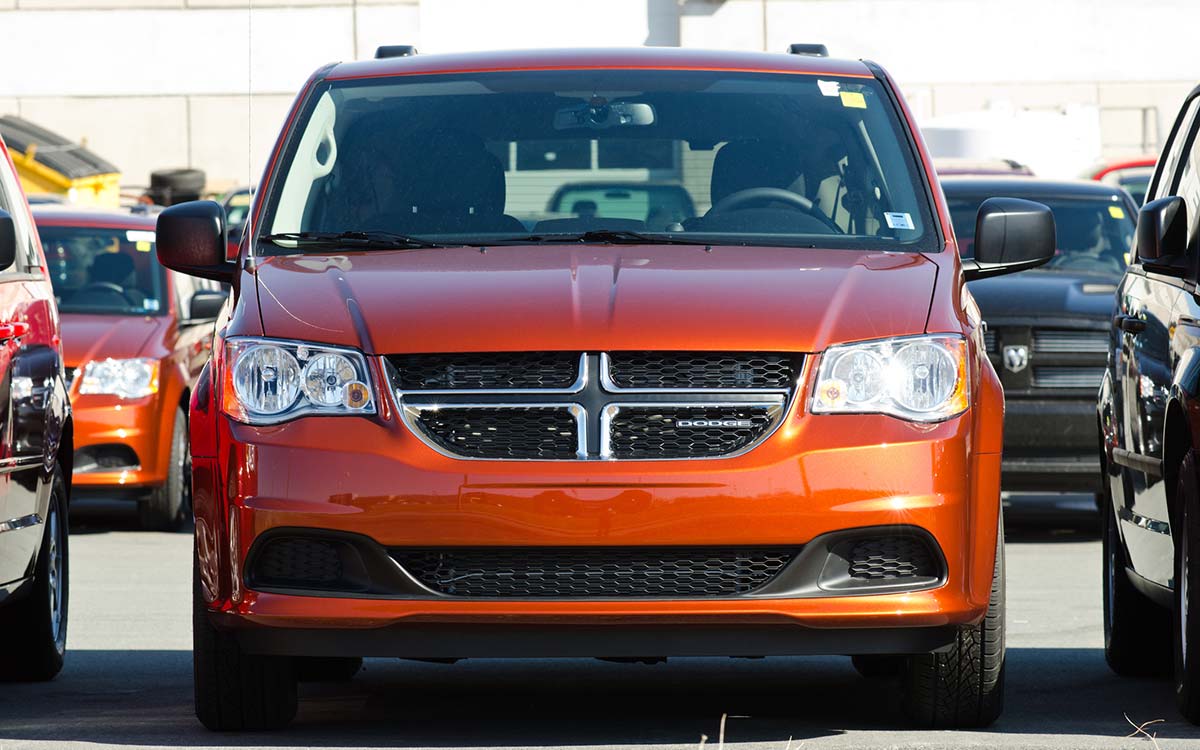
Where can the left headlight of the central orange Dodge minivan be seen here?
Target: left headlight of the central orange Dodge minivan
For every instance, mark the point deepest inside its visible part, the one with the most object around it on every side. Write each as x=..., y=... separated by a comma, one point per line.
x=269, y=382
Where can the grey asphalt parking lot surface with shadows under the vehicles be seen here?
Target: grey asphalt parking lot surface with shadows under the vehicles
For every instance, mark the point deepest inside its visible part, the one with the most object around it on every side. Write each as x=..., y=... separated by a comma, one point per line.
x=128, y=681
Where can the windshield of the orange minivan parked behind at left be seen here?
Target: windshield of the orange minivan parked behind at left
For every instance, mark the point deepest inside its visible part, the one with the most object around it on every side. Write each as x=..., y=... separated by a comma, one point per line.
x=104, y=271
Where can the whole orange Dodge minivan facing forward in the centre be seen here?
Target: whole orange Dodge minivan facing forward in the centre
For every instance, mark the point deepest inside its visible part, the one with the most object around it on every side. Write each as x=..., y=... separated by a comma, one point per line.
x=431, y=431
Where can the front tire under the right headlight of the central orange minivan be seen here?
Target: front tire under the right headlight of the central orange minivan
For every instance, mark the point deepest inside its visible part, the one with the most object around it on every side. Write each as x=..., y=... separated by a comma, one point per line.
x=965, y=686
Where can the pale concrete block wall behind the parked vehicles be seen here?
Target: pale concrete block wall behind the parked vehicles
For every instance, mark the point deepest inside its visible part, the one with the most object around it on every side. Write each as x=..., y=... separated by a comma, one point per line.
x=166, y=83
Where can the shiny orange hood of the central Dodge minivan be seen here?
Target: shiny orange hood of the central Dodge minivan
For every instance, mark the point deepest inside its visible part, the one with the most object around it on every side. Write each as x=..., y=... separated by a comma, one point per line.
x=595, y=298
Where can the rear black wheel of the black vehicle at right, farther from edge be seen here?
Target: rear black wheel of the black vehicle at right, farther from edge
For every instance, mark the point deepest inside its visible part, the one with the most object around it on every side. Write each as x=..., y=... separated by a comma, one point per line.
x=1137, y=632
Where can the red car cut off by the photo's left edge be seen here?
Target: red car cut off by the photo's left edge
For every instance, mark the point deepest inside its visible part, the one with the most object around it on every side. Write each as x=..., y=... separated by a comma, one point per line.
x=35, y=451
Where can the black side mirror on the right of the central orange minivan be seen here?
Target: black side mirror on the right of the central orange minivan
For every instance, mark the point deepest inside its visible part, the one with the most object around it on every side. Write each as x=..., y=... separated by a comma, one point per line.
x=1011, y=236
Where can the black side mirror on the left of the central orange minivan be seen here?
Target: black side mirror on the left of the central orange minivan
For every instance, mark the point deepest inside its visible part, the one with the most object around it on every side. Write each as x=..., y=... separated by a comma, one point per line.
x=191, y=239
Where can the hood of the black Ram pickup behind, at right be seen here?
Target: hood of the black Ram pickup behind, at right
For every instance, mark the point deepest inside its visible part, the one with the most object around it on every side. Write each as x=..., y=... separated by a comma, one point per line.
x=1046, y=295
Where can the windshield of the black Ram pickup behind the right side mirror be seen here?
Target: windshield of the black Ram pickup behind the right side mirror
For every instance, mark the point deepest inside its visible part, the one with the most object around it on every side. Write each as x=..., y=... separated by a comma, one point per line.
x=1094, y=233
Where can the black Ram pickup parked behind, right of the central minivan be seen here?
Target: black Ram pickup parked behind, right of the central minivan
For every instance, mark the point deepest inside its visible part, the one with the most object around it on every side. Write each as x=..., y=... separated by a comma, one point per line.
x=1048, y=329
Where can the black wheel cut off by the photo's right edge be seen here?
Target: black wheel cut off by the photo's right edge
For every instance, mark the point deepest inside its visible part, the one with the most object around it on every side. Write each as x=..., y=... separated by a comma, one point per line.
x=1187, y=591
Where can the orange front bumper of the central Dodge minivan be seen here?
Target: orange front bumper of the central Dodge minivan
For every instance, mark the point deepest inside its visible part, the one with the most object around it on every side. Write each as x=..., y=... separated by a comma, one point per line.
x=817, y=476
